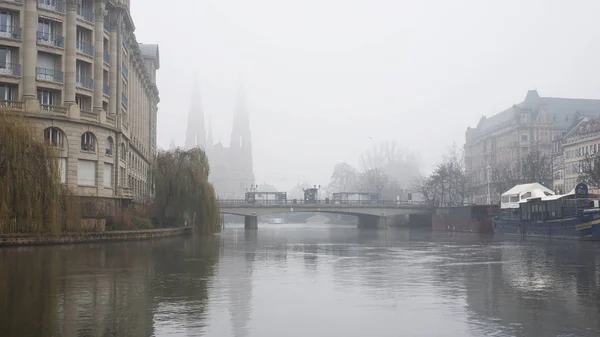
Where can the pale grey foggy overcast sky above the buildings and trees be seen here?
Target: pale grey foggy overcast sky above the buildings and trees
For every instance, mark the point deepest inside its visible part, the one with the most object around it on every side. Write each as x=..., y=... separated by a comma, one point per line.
x=322, y=76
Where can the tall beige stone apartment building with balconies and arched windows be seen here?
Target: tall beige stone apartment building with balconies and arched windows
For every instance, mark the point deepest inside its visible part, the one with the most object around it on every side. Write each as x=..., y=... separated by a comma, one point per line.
x=75, y=68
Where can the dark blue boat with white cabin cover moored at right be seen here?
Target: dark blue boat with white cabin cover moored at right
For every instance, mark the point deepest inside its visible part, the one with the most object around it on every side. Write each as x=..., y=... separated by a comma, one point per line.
x=532, y=210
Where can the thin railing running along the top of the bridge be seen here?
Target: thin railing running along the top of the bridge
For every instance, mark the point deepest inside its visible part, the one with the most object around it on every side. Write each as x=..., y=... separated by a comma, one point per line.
x=391, y=203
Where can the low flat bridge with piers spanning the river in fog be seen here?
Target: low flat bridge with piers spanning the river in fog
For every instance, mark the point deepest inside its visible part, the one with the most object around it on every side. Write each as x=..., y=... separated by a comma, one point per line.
x=370, y=214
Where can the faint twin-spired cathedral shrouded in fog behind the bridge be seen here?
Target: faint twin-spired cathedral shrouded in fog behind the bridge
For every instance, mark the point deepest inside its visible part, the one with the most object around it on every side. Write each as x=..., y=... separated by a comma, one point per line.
x=231, y=169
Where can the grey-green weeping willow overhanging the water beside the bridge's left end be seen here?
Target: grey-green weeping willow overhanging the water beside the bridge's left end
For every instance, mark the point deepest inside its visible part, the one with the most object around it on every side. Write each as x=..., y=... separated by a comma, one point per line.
x=182, y=191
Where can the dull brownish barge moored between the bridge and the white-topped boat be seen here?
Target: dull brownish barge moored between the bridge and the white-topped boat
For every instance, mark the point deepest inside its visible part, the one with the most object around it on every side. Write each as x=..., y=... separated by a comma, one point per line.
x=469, y=219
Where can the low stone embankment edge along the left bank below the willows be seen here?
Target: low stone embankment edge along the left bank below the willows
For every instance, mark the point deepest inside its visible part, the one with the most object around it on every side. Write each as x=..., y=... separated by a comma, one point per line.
x=69, y=238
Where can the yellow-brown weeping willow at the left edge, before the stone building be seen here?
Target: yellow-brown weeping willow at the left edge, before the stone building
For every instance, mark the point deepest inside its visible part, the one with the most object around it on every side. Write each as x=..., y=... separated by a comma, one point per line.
x=31, y=197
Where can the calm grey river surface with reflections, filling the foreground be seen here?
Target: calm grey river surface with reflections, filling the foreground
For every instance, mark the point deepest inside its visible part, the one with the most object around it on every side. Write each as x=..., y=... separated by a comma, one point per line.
x=304, y=280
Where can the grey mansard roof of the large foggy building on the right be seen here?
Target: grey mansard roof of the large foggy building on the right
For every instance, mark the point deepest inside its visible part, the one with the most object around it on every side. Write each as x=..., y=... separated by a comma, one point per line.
x=561, y=111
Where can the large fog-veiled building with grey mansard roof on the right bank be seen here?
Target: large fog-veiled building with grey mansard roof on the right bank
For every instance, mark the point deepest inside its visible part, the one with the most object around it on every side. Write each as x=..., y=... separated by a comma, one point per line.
x=511, y=134
